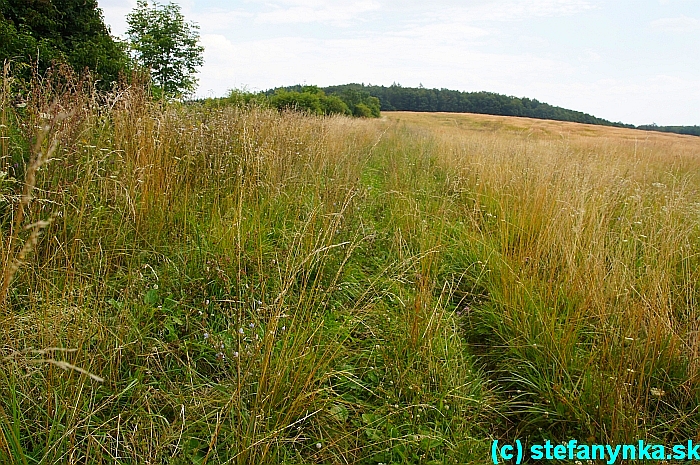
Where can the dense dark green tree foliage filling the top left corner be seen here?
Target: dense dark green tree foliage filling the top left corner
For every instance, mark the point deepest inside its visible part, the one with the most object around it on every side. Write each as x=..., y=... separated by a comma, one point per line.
x=69, y=31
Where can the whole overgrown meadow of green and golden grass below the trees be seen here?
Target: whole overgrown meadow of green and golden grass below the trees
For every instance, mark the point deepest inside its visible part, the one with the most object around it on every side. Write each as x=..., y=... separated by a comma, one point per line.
x=188, y=285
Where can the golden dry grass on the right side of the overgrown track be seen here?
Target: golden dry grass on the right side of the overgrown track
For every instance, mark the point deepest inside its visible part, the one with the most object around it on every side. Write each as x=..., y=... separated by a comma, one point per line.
x=593, y=294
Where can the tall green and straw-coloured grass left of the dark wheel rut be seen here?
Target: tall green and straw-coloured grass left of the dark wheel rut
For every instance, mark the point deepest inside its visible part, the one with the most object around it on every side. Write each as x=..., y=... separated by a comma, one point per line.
x=208, y=292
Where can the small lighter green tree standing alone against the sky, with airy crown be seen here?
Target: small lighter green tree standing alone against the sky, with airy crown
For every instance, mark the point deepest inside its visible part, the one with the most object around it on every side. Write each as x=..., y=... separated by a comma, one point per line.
x=166, y=45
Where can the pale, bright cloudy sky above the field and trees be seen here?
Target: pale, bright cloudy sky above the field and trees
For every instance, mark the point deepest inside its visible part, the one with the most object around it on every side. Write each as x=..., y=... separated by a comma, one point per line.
x=635, y=61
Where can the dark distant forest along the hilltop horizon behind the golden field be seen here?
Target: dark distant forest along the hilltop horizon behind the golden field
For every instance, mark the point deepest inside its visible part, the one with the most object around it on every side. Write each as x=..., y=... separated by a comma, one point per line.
x=398, y=98
